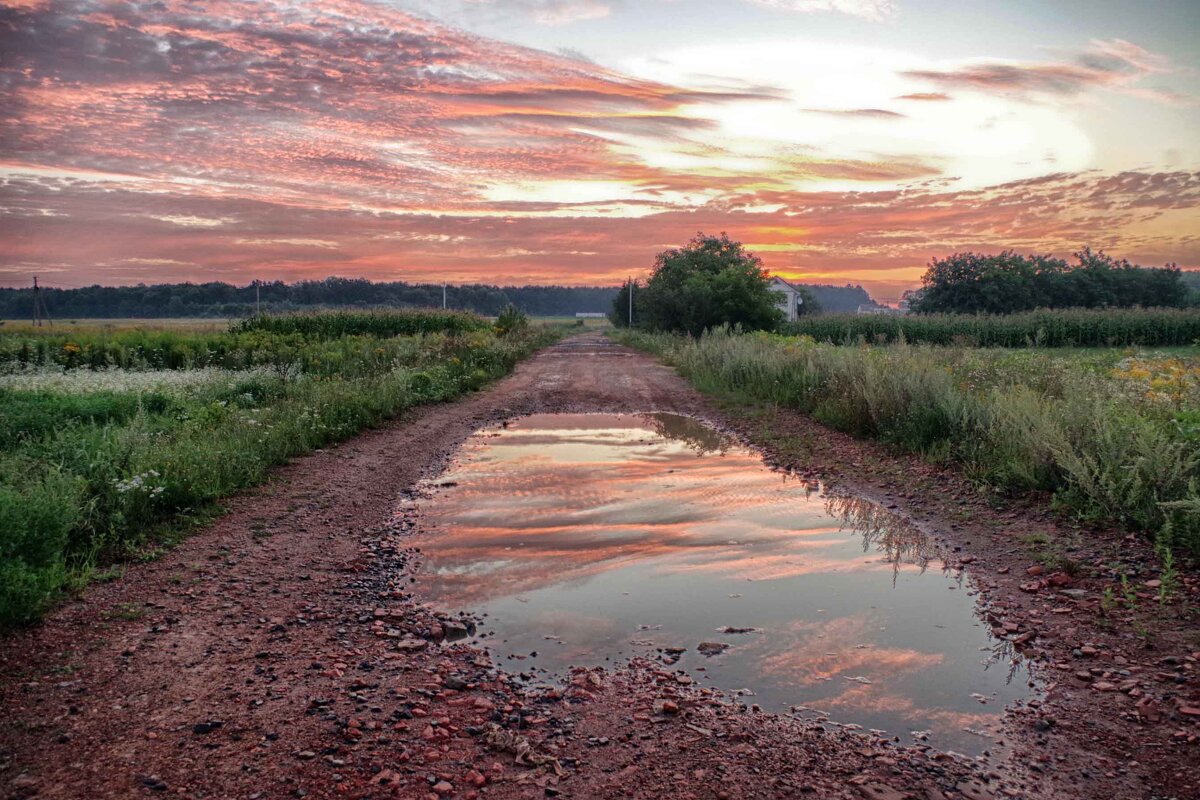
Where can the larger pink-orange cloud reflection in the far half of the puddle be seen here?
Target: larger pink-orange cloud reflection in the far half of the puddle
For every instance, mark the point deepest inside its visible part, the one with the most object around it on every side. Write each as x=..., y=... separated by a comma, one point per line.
x=542, y=522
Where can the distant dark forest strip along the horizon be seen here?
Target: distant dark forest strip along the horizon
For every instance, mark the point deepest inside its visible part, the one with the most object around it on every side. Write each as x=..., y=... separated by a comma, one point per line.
x=226, y=300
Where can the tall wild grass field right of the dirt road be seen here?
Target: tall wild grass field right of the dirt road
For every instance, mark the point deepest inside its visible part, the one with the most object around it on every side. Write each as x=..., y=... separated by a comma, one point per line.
x=1113, y=435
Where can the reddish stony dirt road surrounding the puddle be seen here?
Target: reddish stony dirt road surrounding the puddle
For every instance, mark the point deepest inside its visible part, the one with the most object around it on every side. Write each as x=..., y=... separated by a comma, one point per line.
x=281, y=654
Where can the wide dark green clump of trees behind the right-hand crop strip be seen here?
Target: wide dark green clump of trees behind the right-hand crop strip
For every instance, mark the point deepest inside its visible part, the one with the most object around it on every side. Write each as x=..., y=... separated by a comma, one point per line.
x=973, y=284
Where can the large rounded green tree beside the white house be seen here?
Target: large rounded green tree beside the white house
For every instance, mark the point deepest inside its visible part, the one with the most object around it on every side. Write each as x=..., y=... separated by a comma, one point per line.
x=709, y=282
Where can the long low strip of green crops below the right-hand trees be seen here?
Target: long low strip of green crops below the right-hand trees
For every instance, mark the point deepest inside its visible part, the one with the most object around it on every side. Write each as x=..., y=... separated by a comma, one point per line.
x=1073, y=328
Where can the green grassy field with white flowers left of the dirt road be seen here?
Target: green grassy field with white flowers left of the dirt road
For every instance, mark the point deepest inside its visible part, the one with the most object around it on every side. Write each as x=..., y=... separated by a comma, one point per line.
x=112, y=438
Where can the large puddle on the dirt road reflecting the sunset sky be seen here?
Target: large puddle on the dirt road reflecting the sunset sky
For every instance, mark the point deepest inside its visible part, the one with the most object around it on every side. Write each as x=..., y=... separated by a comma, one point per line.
x=590, y=539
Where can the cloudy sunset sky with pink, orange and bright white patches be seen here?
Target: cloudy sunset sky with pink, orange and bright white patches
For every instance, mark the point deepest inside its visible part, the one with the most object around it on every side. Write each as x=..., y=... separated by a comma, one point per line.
x=568, y=142
